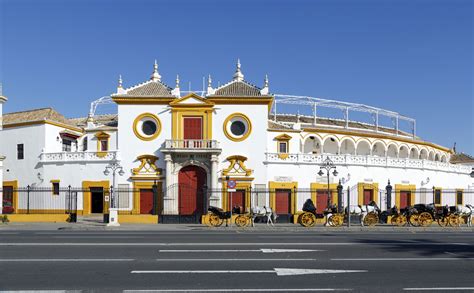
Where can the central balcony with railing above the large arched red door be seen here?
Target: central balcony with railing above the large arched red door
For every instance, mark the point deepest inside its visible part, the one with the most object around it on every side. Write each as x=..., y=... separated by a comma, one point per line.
x=191, y=146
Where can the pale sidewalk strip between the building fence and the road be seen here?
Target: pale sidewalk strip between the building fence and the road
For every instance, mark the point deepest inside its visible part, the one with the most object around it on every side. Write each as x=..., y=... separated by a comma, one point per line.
x=86, y=226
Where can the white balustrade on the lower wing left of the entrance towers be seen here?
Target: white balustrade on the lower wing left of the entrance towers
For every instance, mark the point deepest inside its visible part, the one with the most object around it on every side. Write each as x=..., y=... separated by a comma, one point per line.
x=78, y=156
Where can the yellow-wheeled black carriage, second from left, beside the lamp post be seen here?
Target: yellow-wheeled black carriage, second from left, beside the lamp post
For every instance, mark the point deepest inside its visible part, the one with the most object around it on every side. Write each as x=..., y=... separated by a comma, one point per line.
x=309, y=215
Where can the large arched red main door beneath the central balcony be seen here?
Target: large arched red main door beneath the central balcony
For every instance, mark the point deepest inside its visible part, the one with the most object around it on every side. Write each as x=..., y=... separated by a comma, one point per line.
x=191, y=181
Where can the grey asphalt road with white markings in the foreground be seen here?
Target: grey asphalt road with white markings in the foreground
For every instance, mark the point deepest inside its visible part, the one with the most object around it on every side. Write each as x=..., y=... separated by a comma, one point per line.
x=235, y=261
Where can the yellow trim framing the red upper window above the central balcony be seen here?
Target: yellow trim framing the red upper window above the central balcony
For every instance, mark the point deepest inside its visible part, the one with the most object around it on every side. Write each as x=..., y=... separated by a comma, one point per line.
x=178, y=115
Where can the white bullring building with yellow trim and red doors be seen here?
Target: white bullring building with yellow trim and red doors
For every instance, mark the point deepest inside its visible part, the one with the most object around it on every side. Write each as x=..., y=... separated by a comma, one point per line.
x=188, y=146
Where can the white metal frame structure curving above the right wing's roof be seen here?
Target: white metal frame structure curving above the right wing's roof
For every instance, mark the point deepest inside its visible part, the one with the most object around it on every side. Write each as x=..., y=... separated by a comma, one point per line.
x=346, y=107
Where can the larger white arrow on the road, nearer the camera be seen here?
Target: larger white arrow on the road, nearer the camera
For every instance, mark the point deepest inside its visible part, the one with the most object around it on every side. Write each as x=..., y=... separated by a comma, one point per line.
x=278, y=271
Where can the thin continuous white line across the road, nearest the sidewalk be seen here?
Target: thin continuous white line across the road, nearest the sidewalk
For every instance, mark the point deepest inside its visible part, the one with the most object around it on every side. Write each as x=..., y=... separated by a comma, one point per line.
x=224, y=244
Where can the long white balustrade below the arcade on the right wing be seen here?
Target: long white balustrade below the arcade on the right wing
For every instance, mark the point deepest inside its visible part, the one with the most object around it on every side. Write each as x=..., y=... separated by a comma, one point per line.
x=373, y=161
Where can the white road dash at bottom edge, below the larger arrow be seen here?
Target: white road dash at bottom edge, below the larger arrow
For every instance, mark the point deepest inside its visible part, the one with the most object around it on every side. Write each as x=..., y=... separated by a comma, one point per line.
x=245, y=290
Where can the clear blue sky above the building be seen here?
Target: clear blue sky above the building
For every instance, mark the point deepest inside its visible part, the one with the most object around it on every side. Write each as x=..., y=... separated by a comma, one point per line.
x=410, y=56
